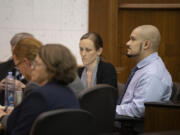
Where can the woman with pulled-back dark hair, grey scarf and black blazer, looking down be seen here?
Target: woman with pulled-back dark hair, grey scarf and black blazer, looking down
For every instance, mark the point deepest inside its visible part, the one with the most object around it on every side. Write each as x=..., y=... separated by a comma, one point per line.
x=95, y=71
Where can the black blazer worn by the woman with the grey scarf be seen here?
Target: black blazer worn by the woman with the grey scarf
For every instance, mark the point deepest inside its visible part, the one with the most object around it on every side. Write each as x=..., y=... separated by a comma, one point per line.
x=106, y=74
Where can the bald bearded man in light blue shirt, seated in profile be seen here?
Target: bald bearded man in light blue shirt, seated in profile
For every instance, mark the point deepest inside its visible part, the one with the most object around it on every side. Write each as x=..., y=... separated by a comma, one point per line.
x=149, y=79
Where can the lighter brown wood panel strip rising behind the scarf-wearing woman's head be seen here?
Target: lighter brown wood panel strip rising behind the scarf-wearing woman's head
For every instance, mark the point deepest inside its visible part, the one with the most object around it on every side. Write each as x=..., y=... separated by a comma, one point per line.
x=103, y=19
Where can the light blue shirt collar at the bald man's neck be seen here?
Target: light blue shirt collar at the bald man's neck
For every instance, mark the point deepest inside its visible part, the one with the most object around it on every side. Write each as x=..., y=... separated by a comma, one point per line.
x=147, y=60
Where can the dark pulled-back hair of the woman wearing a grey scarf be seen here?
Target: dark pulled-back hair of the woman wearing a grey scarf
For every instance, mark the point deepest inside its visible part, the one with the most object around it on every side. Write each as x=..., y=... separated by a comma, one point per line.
x=95, y=38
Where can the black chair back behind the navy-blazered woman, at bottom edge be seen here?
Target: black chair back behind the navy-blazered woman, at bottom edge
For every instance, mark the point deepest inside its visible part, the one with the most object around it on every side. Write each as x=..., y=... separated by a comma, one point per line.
x=64, y=122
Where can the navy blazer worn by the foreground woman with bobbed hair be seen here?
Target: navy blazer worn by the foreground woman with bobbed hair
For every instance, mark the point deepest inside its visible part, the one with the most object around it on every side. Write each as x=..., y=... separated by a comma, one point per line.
x=49, y=97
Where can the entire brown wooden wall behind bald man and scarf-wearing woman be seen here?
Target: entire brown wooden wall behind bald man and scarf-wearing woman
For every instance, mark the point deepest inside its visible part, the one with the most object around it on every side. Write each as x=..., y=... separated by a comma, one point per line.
x=115, y=19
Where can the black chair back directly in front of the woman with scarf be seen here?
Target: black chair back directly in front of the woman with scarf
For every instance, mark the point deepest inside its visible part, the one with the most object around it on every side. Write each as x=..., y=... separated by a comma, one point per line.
x=100, y=100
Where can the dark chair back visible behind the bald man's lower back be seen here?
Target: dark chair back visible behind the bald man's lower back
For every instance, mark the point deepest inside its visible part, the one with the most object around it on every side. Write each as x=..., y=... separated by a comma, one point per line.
x=175, y=97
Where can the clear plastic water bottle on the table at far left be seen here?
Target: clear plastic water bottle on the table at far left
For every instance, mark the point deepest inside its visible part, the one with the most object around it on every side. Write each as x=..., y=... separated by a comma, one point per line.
x=9, y=90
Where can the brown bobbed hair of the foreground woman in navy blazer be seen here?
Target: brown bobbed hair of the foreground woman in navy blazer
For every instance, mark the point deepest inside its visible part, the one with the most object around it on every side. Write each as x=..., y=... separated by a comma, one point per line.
x=60, y=62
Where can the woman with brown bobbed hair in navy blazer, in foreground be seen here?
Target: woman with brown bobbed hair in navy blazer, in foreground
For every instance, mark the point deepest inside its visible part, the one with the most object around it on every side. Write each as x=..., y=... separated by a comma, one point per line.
x=54, y=67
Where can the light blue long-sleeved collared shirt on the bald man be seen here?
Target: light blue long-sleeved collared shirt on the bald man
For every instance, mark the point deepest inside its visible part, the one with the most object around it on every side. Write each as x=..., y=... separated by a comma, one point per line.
x=152, y=82
